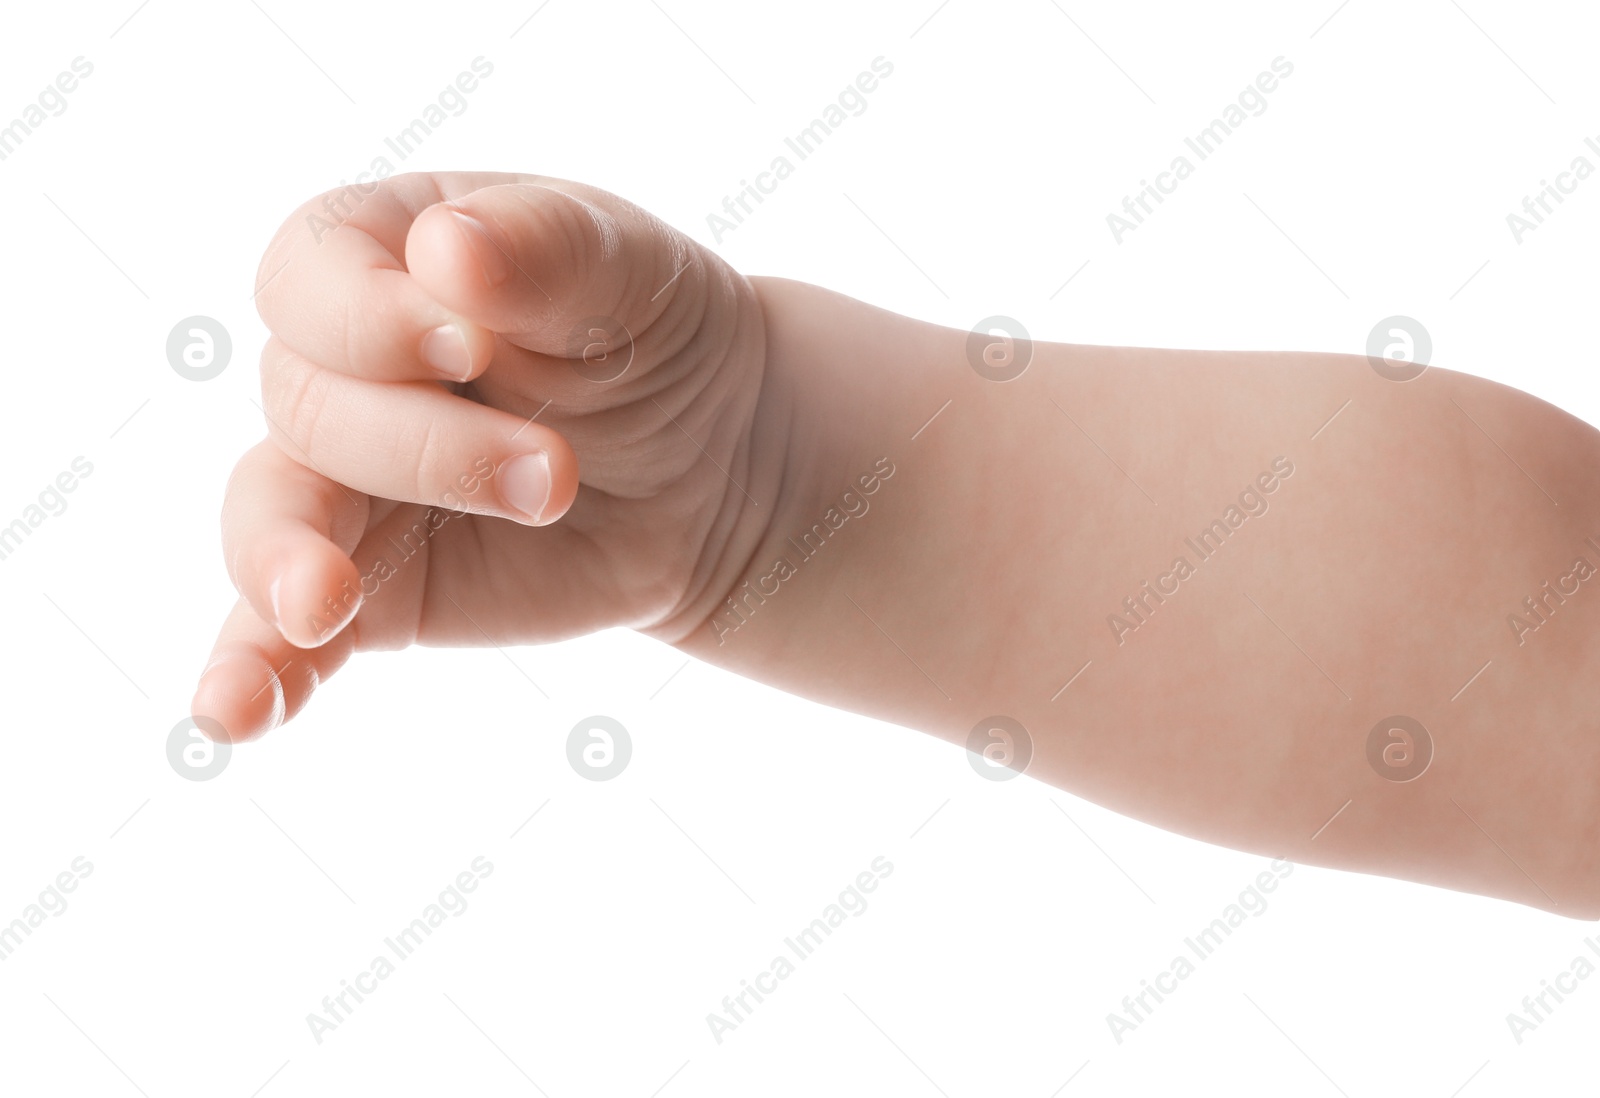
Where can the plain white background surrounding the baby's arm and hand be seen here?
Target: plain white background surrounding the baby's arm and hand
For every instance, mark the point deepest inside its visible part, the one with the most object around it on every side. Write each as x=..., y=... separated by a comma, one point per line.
x=218, y=915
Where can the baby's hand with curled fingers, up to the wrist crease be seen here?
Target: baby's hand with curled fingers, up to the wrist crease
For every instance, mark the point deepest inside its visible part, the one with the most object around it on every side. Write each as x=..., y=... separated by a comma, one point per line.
x=502, y=411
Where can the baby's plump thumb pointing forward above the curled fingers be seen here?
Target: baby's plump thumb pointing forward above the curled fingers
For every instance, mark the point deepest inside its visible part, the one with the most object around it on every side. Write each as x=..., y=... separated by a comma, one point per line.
x=554, y=265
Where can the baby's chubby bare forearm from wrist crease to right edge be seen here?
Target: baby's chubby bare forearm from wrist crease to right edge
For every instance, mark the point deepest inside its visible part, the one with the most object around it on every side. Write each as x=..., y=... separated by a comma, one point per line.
x=1199, y=582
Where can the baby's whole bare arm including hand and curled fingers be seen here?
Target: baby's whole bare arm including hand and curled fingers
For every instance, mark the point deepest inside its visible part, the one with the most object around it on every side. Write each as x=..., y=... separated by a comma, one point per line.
x=1385, y=575
